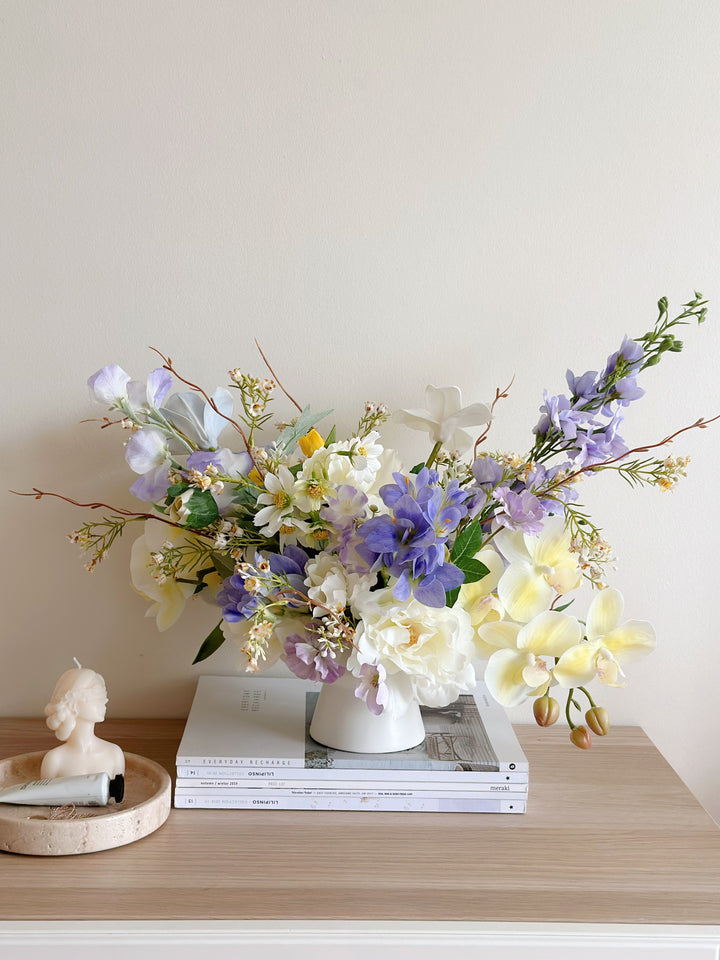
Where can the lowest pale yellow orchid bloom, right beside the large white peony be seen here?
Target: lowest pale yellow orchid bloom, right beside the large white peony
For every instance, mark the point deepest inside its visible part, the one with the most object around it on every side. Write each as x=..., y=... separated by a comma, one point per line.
x=517, y=668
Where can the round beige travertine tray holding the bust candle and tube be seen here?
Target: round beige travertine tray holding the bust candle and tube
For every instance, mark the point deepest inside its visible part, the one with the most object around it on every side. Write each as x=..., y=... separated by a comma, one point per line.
x=29, y=830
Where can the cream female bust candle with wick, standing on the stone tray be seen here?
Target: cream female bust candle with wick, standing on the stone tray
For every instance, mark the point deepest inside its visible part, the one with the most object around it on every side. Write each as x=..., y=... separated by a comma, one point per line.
x=77, y=704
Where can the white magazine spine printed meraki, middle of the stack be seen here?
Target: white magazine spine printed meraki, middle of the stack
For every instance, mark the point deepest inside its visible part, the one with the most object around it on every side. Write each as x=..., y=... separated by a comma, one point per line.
x=188, y=785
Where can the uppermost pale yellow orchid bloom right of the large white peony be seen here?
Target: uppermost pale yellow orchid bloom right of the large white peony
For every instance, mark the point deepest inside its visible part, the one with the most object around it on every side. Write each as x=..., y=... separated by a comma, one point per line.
x=539, y=568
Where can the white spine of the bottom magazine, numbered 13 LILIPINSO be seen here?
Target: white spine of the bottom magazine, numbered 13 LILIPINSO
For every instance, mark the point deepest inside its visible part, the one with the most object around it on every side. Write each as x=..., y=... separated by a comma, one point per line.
x=398, y=804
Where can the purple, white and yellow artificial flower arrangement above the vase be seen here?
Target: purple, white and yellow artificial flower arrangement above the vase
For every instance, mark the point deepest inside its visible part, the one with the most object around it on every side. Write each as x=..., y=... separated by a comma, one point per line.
x=330, y=554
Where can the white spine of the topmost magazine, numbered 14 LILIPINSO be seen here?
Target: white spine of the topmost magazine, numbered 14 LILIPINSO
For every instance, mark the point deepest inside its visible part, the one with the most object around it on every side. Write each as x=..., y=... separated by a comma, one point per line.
x=331, y=775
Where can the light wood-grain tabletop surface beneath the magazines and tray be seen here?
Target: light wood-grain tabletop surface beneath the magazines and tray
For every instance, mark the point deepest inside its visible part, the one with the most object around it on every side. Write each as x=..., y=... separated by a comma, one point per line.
x=611, y=835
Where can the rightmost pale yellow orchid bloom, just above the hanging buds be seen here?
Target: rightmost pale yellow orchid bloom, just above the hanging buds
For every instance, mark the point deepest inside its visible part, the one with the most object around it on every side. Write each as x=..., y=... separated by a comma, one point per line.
x=609, y=644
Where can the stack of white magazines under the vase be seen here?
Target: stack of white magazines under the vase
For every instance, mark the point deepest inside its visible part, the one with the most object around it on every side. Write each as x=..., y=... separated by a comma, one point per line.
x=246, y=745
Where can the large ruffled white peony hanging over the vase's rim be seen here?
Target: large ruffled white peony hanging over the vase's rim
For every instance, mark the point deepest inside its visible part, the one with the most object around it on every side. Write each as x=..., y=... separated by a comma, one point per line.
x=427, y=653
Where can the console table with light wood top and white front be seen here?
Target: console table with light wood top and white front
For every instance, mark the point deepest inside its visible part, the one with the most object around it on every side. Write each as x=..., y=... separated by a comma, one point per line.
x=614, y=849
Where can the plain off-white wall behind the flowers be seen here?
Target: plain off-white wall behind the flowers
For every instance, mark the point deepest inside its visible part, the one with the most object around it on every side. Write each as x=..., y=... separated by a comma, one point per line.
x=386, y=194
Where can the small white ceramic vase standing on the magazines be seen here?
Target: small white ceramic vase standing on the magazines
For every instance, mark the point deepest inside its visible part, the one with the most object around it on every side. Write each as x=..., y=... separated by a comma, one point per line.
x=343, y=722
